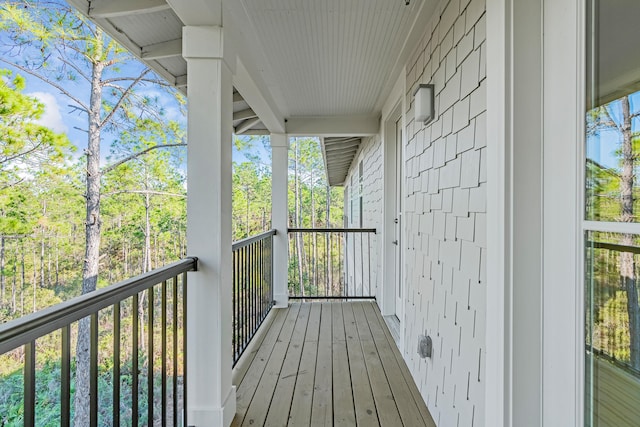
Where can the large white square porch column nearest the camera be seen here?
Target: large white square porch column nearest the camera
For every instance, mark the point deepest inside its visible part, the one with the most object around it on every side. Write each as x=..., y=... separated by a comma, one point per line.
x=211, y=399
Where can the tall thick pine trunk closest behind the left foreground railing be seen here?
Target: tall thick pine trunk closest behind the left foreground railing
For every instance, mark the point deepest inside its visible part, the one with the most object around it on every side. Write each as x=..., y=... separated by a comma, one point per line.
x=92, y=242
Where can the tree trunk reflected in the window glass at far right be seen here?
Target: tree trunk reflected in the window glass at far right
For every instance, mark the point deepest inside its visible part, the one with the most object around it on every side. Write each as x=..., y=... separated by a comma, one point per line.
x=627, y=263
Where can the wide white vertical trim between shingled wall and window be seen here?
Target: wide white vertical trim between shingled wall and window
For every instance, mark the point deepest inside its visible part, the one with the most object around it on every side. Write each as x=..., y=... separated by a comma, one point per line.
x=534, y=282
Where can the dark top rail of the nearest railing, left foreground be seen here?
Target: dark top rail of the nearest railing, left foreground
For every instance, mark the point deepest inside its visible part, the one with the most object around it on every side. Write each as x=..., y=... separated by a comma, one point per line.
x=28, y=328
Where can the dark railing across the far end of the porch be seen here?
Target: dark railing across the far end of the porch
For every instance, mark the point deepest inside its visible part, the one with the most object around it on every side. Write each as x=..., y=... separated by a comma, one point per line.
x=330, y=263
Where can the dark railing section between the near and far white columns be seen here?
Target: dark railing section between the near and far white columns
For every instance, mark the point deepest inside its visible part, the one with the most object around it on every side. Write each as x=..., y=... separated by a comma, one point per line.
x=252, y=288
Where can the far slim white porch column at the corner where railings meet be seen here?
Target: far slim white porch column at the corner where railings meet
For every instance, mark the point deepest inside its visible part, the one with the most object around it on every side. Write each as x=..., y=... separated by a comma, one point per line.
x=280, y=216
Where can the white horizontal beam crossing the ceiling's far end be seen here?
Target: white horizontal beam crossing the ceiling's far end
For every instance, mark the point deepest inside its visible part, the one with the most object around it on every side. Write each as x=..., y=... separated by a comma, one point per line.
x=327, y=126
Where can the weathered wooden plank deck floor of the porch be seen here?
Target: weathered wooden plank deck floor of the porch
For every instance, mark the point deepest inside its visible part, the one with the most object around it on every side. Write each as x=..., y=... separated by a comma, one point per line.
x=326, y=364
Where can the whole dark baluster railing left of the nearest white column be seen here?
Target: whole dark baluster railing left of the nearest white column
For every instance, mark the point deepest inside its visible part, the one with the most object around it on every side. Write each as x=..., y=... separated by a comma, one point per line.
x=160, y=296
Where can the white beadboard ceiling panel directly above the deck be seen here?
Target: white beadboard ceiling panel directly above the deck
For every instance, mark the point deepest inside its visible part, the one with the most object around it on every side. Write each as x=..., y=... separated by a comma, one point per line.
x=329, y=57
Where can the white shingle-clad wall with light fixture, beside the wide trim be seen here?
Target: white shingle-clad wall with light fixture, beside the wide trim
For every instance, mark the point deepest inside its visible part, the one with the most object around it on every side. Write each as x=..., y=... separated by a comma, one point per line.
x=446, y=233
